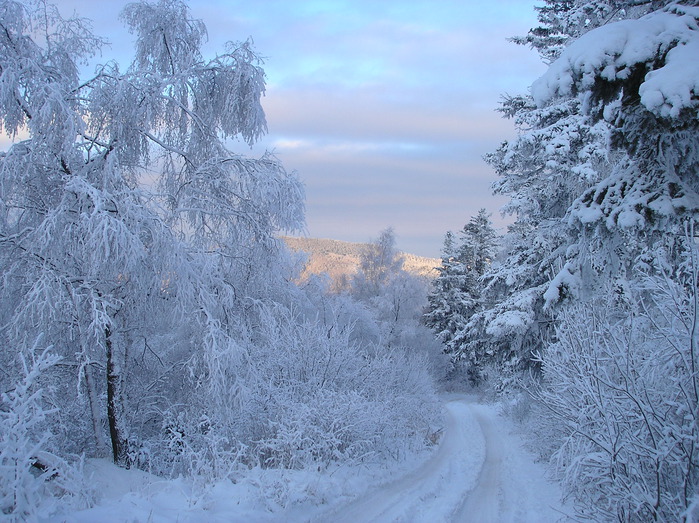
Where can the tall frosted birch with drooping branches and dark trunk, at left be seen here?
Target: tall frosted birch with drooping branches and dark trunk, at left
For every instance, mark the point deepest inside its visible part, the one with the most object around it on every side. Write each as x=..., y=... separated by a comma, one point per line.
x=114, y=203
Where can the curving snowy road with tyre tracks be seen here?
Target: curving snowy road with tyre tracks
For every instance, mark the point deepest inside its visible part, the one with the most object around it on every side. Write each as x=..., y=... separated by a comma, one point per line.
x=479, y=473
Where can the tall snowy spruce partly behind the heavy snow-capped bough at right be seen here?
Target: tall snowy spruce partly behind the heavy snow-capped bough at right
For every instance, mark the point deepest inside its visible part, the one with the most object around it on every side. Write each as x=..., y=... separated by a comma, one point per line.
x=559, y=154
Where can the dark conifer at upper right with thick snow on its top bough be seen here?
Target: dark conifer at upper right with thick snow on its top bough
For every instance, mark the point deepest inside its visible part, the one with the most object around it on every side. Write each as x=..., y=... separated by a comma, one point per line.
x=627, y=196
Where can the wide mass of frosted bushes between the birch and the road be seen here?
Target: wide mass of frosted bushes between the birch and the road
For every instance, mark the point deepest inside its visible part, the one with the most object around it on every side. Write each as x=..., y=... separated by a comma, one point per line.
x=286, y=391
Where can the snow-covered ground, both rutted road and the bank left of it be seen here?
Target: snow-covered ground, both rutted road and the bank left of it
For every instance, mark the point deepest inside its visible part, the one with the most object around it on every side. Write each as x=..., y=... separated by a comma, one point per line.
x=479, y=472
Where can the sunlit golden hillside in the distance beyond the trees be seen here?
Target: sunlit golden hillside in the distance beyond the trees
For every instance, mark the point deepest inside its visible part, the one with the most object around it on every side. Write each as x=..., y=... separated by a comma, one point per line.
x=341, y=259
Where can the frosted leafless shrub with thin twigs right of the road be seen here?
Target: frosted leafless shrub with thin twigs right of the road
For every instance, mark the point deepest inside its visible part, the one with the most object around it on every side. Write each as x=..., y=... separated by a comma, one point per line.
x=622, y=386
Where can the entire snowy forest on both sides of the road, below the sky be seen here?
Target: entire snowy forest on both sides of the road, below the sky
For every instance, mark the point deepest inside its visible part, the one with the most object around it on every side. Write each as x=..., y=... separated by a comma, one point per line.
x=154, y=330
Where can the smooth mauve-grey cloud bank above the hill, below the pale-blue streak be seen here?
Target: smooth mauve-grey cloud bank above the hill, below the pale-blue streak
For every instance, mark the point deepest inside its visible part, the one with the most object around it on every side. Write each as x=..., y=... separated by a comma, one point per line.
x=352, y=197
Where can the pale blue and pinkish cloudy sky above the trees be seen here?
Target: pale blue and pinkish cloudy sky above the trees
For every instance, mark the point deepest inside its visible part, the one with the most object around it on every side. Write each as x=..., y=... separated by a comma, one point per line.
x=384, y=108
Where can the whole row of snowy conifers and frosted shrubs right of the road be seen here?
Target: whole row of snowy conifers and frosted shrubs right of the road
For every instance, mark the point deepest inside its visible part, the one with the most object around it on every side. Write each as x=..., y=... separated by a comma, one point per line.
x=590, y=303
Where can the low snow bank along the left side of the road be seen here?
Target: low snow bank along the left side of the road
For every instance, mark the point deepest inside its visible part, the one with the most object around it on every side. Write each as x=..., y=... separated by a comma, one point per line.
x=258, y=495
